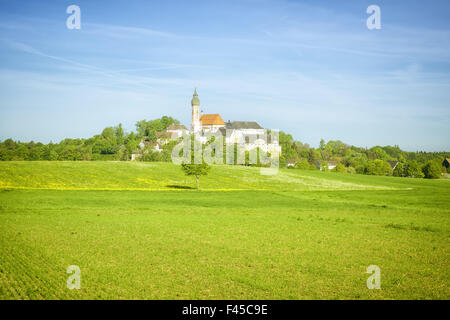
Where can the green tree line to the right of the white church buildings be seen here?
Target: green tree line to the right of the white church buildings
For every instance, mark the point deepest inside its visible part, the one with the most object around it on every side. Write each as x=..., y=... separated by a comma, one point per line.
x=378, y=160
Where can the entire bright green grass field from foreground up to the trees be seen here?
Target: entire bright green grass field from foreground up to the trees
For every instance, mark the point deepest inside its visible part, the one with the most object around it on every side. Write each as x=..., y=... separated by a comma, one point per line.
x=137, y=231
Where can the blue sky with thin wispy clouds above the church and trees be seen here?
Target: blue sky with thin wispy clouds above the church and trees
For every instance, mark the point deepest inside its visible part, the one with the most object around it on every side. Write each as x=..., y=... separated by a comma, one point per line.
x=310, y=68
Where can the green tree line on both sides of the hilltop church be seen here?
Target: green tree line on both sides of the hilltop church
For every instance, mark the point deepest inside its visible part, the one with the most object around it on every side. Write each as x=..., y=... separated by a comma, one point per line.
x=116, y=144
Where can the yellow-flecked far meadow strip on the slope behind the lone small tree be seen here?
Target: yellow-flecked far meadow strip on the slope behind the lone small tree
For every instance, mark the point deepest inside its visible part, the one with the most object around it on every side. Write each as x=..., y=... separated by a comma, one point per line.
x=166, y=176
